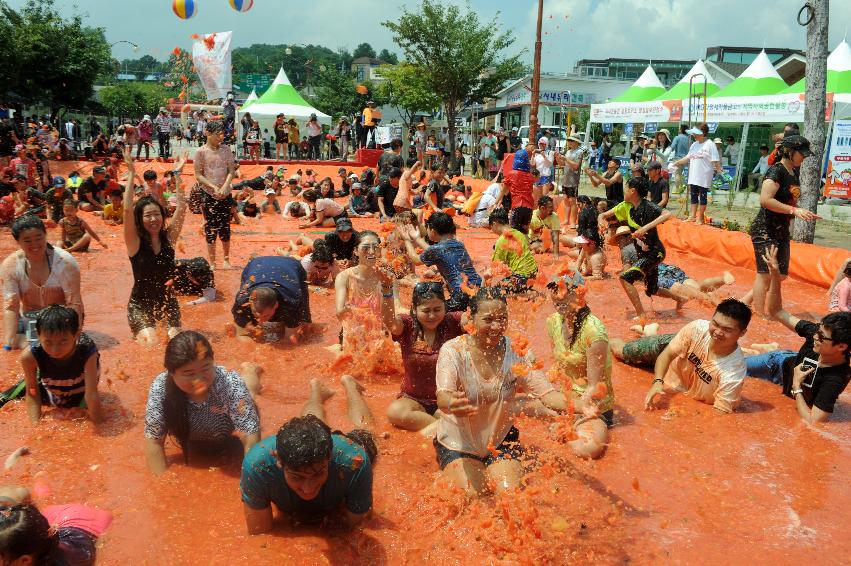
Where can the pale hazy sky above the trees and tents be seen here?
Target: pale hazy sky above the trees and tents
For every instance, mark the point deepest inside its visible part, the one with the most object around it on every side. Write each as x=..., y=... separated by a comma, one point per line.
x=573, y=29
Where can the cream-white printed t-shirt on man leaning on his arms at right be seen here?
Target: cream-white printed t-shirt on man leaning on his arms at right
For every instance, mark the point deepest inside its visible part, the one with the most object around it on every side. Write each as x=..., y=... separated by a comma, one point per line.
x=718, y=381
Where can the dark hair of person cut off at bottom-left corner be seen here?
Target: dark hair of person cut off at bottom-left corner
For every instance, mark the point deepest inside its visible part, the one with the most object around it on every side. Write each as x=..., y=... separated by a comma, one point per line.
x=24, y=531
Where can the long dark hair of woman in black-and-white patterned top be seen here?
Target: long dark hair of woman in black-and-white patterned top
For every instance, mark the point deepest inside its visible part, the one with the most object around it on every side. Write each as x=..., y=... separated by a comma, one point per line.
x=184, y=348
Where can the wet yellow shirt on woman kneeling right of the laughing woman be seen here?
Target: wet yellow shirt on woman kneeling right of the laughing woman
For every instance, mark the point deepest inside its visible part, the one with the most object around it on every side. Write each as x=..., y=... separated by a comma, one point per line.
x=573, y=360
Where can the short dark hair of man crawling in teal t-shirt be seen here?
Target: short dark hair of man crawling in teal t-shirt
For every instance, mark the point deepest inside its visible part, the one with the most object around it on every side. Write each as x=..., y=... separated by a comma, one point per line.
x=303, y=441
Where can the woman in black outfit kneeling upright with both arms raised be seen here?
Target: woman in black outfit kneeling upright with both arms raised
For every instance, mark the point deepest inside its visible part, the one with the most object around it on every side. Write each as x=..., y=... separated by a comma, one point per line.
x=150, y=245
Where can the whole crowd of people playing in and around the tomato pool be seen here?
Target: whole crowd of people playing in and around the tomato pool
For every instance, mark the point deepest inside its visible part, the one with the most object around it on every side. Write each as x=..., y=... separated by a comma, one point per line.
x=464, y=376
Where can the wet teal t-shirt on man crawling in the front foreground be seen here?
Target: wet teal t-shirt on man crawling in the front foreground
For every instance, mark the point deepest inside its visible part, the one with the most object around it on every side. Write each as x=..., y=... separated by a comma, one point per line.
x=349, y=481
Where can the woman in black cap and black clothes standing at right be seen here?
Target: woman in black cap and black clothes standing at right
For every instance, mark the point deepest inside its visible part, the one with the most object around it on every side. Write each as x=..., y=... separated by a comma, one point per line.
x=777, y=199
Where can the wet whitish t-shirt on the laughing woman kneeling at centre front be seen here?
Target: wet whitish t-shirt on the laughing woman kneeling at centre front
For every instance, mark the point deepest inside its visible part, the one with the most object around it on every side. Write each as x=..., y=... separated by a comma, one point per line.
x=495, y=400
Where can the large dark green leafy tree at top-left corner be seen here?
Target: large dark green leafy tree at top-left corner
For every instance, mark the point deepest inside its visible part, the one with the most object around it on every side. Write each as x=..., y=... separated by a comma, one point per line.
x=51, y=59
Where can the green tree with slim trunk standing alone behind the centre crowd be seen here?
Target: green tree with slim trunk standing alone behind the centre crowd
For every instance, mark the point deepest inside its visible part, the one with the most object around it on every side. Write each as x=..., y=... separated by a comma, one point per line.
x=462, y=58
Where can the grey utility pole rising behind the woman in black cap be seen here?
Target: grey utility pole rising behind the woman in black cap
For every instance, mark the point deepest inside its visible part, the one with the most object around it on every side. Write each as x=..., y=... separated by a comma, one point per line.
x=814, y=15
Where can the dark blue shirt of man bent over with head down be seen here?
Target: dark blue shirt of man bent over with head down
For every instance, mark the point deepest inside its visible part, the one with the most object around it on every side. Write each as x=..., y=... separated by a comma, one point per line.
x=289, y=280
